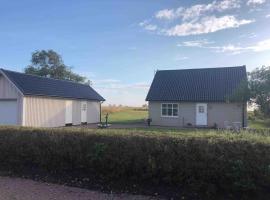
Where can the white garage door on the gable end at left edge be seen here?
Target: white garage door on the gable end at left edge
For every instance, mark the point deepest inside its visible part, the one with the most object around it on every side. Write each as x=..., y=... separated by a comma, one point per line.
x=8, y=112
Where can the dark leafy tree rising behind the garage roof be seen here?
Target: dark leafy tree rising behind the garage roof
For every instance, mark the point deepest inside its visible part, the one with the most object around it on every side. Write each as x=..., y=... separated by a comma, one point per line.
x=50, y=64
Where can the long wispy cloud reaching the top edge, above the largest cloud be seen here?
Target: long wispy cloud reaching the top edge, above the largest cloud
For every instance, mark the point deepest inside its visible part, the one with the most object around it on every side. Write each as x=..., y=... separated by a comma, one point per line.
x=197, y=10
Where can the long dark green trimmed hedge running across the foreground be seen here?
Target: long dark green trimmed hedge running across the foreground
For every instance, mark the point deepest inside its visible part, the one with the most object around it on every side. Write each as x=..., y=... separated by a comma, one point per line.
x=203, y=161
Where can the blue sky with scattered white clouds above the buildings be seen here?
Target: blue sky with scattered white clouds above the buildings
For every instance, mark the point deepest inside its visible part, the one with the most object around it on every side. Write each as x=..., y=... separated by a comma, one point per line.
x=119, y=44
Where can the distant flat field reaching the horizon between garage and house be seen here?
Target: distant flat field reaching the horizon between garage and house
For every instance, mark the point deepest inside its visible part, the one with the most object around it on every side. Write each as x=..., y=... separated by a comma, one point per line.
x=124, y=114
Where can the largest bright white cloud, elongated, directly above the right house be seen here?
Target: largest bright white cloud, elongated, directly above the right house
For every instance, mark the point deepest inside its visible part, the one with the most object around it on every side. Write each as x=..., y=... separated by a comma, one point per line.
x=205, y=25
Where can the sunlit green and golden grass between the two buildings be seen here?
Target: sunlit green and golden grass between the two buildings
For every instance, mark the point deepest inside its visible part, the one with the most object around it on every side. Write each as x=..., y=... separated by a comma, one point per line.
x=126, y=115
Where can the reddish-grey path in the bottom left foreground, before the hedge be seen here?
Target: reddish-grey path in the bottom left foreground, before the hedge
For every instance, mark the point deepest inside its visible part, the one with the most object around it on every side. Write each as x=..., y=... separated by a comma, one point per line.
x=24, y=189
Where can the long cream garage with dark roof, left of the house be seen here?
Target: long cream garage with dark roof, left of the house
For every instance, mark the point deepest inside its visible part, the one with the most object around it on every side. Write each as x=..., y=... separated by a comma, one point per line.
x=28, y=100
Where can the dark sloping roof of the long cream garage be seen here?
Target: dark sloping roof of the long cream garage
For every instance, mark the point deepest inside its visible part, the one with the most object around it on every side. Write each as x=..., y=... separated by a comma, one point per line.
x=32, y=85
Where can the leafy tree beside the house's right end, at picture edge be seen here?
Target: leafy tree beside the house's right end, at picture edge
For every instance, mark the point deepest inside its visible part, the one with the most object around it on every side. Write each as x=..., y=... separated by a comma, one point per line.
x=259, y=84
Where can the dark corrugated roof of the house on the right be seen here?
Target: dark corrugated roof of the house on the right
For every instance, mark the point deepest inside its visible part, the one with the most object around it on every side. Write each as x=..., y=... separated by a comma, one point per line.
x=196, y=85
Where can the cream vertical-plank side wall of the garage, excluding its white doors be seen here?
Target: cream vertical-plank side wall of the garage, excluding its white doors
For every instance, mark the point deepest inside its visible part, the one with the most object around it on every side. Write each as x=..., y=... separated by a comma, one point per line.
x=50, y=112
